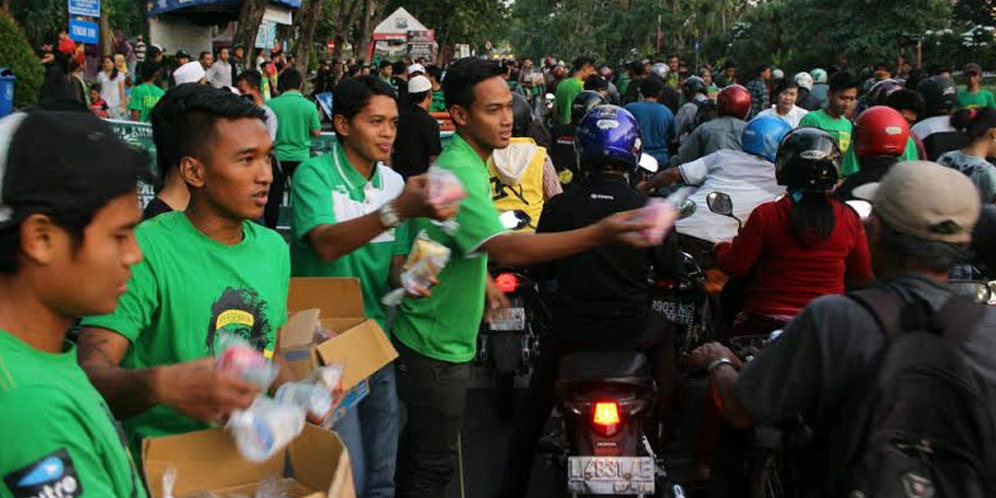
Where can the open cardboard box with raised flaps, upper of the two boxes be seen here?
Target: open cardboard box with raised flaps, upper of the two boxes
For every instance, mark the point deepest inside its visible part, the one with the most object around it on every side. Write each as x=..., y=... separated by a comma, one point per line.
x=361, y=345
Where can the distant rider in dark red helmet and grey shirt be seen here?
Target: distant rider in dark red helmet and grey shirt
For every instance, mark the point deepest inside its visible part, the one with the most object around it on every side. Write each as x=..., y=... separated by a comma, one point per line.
x=724, y=132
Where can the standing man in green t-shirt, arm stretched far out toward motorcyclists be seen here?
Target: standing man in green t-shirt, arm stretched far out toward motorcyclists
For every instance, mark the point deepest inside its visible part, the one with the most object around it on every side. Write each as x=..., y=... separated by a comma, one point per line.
x=436, y=336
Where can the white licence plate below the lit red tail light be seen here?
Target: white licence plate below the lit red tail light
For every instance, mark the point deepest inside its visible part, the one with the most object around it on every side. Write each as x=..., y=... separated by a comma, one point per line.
x=610, y=475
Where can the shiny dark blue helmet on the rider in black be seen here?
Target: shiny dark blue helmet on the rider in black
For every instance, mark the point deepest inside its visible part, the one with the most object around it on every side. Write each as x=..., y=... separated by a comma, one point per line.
x=608, y=136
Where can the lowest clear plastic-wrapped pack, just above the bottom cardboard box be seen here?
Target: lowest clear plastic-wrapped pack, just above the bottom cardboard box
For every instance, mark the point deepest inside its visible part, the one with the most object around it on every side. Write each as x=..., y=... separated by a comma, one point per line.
x=266, y=428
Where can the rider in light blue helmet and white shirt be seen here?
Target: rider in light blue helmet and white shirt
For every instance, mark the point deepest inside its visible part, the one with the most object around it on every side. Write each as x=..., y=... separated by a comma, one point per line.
x=747, y=175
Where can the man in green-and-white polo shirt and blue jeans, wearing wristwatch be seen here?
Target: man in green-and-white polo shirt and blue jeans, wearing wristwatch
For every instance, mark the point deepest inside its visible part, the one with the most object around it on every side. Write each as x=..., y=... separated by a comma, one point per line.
x=350, y=213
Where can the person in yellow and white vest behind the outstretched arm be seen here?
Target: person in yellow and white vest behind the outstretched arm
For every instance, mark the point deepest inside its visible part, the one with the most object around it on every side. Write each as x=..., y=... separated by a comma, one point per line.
x=522, y=174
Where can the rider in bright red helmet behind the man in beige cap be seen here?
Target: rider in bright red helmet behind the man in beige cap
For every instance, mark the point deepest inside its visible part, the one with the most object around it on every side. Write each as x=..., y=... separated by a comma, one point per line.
x=880, y=138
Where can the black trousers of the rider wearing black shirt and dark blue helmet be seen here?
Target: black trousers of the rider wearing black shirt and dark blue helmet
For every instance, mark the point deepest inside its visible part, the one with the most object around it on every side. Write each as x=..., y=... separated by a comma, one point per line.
x=657, y=342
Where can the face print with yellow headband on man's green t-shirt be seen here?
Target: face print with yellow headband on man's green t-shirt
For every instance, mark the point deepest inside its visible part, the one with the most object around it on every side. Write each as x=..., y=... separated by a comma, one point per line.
x=243, y=313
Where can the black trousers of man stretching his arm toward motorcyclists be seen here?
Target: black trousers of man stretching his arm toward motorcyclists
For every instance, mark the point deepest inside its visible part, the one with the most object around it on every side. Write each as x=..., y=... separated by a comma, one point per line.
x=434, y=394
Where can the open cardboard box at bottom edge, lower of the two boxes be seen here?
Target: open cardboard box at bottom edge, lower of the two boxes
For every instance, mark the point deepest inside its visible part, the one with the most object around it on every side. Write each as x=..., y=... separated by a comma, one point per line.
x=209, y=461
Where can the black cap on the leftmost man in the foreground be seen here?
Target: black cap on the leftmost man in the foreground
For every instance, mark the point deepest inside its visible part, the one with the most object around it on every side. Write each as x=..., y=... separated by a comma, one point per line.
x=87, y=167
